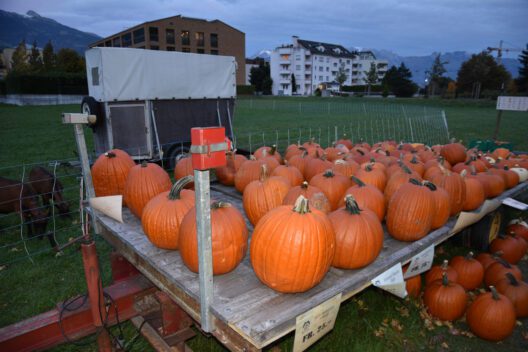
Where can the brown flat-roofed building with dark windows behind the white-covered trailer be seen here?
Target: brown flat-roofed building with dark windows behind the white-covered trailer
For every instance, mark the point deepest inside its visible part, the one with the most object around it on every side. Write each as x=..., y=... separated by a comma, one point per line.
x=185, y=34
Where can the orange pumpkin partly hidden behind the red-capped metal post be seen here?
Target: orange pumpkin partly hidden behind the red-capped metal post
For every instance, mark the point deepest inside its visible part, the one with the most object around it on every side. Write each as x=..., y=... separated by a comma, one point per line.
x=229, y=236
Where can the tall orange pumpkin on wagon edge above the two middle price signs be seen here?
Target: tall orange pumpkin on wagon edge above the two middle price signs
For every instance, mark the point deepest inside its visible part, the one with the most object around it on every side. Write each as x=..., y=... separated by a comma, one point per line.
x=410, y=212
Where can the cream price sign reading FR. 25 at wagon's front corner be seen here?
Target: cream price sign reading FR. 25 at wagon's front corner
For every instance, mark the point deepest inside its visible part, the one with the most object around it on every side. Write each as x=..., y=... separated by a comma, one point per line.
x=315, y=323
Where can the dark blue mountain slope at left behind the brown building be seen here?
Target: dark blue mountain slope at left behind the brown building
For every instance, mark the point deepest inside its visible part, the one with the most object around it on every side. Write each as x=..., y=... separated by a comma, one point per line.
x=31, y=26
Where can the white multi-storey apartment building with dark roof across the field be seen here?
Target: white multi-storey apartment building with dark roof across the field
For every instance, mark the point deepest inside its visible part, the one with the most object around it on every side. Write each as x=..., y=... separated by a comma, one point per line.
x=316, y=65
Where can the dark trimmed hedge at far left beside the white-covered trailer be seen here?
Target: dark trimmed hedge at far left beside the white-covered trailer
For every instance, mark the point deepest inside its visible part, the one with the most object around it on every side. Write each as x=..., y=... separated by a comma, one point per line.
x=49, y=83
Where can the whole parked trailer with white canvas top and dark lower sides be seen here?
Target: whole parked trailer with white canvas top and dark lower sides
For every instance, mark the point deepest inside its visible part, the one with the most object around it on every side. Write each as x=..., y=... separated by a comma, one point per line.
x=146, y=101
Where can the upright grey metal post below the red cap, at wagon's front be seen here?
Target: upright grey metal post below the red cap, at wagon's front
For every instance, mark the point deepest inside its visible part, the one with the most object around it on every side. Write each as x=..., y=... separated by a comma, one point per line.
x=205, y=250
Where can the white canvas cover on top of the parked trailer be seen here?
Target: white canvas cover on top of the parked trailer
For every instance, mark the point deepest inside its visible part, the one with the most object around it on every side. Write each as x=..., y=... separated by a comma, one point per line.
x=121, y=74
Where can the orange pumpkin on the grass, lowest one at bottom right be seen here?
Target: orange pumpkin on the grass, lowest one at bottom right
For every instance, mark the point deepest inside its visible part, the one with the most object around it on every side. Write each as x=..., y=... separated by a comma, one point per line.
x=491, y=316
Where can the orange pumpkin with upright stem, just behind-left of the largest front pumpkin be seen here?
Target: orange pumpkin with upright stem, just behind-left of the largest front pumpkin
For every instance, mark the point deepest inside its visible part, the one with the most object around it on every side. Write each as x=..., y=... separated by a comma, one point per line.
x=263, y=195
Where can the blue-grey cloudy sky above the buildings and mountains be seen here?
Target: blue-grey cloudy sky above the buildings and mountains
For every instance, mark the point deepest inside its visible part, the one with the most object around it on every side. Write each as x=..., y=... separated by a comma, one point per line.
x=412, y=27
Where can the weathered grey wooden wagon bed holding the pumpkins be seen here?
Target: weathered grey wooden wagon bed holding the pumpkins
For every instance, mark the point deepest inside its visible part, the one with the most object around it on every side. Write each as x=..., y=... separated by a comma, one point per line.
x=247, y=314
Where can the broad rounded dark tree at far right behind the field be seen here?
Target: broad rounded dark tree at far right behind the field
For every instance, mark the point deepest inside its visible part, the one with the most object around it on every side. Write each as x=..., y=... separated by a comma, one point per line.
x=481, y=72
